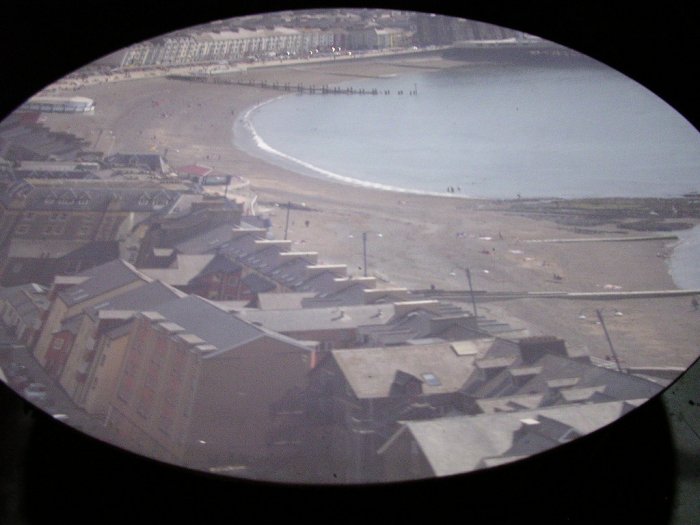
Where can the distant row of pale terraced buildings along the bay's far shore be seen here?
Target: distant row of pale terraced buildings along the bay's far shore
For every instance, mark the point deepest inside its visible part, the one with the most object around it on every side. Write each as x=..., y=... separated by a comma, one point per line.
x=285, y=36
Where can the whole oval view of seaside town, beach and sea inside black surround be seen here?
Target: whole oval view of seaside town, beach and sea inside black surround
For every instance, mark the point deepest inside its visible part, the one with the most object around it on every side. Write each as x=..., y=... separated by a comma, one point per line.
x=346, y=247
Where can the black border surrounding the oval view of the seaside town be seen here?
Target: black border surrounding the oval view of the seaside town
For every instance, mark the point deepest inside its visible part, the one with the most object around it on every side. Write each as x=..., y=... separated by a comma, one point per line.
x=623, y=473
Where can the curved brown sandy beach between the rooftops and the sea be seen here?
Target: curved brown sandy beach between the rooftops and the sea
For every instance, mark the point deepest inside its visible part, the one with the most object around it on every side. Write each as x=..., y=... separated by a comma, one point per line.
x=414, y=241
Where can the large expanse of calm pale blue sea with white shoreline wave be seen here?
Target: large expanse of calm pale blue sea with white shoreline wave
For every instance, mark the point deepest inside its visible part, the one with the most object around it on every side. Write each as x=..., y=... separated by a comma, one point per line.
x=487, y=131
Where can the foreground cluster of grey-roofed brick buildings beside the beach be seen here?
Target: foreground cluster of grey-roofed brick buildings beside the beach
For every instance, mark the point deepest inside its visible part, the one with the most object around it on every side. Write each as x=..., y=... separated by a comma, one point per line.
x=220, y=348
